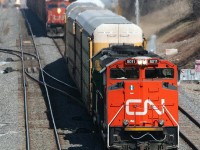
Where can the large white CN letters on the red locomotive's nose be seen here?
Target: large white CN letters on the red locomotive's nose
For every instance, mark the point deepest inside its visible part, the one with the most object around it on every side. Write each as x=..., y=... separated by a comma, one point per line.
x=146, y=102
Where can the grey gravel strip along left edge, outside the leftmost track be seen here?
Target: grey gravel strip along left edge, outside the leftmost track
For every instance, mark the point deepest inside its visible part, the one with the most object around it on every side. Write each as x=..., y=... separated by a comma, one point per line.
x=9, y=133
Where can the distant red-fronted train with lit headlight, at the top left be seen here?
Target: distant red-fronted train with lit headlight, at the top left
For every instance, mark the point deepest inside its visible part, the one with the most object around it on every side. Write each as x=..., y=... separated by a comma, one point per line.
x=51, y=13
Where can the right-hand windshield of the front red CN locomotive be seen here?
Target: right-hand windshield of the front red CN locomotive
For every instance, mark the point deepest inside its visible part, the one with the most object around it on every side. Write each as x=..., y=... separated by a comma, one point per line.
x=159, y=73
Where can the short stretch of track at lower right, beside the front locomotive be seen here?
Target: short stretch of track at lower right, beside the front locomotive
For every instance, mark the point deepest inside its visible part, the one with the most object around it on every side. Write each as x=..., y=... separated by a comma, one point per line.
x=189, y=129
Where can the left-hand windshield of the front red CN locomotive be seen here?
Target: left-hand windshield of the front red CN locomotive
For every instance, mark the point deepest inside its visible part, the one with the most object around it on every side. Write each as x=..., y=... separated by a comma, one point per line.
x=124, y=73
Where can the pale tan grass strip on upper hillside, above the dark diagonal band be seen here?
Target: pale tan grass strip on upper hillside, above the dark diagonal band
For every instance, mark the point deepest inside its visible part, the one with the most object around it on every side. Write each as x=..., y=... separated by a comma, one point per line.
x=154, y=22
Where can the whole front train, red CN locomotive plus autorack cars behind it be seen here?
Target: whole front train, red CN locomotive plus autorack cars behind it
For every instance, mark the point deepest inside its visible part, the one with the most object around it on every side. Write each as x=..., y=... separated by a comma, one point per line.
x=131, y=93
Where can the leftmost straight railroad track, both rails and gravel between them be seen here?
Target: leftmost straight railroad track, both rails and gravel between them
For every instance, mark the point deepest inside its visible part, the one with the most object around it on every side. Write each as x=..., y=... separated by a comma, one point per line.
x=38, y=114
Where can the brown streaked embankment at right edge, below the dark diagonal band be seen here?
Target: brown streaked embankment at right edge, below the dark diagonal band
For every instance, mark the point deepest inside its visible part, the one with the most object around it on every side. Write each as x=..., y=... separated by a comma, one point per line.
x=186, y=38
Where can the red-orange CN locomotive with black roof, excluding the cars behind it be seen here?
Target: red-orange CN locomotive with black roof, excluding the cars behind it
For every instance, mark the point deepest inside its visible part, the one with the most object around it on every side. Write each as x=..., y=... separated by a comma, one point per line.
x=135, y=99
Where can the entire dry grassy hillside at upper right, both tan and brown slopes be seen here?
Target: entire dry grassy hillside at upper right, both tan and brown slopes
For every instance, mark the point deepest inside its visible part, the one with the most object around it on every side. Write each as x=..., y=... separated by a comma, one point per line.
x=175, y=27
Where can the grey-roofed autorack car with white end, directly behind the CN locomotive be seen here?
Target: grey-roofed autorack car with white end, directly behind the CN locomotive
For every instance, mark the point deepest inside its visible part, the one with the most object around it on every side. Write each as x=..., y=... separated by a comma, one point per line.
x=94, y=30
